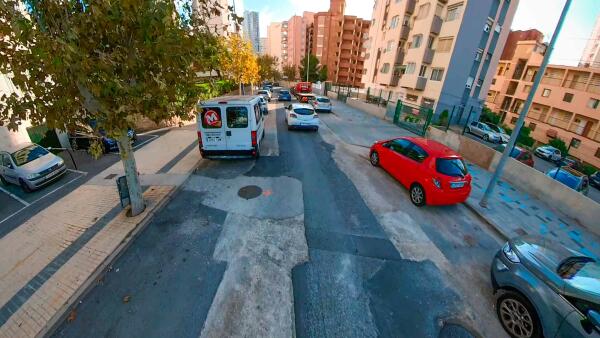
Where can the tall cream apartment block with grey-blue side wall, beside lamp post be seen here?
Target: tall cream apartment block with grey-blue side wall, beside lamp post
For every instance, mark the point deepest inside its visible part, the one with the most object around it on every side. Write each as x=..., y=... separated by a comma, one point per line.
x=437, y=53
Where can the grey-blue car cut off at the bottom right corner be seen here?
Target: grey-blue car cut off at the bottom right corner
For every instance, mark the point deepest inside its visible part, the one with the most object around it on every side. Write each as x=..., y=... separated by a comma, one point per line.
x=545, y=289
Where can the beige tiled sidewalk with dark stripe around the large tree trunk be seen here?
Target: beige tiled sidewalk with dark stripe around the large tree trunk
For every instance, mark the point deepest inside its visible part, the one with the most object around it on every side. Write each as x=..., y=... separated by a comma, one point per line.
x=49, y=261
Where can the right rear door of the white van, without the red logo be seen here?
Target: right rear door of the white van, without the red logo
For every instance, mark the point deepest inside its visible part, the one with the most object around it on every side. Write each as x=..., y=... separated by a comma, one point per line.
x=239, y=128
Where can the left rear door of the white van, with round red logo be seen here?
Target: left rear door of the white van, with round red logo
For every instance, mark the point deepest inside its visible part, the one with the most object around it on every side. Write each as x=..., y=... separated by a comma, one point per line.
x=212, y=129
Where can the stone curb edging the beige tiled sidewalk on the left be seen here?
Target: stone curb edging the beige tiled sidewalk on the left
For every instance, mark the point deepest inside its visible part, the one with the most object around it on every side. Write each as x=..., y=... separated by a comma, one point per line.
x=102, y=269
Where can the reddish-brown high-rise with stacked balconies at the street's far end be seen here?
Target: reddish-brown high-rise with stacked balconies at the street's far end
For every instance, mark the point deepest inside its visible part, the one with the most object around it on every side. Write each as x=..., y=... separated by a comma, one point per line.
x=337, y=41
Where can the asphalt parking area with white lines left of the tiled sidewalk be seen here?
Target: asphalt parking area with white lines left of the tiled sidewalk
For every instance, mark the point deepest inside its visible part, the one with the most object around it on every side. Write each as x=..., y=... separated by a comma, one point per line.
x=16, y=206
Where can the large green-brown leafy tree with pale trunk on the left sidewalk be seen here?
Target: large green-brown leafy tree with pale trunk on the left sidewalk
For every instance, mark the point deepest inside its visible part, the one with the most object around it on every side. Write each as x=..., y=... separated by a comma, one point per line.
x=77, y=61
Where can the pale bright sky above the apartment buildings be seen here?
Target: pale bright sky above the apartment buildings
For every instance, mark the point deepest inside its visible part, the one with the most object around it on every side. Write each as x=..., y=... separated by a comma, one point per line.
x=539, y=14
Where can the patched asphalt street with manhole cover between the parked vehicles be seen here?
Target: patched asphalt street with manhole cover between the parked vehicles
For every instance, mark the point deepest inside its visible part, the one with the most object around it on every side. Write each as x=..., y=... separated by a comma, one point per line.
x=313, y=240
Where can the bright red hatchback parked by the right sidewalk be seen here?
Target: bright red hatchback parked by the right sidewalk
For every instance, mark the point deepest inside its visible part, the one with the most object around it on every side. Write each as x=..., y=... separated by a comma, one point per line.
x=434, y=173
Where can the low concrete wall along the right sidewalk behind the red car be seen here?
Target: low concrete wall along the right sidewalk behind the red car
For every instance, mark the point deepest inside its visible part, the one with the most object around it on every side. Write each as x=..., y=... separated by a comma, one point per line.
x=560, y=197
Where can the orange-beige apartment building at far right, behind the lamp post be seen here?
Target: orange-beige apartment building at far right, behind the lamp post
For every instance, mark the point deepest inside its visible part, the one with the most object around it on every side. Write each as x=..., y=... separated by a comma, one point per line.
x=565, y=106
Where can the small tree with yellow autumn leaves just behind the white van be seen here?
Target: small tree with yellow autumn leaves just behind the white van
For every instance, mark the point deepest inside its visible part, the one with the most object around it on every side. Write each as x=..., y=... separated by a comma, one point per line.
x=239, y=64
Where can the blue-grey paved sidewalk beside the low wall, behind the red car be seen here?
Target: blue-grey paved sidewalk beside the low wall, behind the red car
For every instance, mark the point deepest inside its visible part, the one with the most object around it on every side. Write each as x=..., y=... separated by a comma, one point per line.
x=511, y=212
